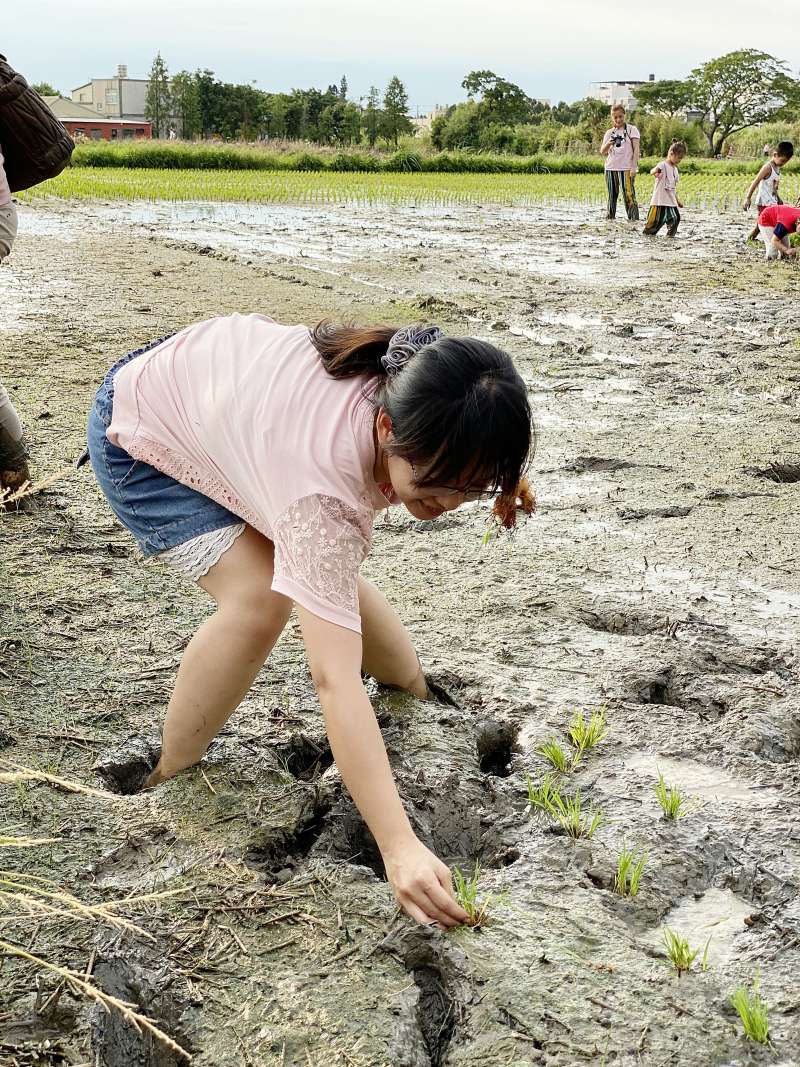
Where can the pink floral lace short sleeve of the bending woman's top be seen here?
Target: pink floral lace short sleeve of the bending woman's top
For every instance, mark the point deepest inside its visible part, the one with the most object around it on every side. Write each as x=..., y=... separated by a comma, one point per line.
x=321, y=544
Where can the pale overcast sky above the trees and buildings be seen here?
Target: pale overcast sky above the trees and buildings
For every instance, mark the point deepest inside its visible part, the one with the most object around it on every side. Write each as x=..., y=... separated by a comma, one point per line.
x=553, y=50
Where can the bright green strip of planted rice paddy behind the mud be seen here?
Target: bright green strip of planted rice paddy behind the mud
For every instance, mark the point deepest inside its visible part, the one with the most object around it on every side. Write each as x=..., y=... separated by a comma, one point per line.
x=709, y=192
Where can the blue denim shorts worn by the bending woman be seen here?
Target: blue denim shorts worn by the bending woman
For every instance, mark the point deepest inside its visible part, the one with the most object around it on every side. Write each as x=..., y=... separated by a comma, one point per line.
x=159, y=512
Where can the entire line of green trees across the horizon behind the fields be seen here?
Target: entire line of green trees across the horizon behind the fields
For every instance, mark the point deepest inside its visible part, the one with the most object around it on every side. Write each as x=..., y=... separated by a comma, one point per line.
x=714, y=103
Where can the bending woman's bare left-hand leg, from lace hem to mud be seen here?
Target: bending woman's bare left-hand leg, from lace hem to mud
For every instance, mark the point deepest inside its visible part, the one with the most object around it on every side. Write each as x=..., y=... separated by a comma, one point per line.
x=225, y=657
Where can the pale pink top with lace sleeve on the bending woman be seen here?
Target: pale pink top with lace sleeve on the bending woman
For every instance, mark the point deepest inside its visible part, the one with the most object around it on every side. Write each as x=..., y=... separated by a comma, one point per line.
x=243, y=410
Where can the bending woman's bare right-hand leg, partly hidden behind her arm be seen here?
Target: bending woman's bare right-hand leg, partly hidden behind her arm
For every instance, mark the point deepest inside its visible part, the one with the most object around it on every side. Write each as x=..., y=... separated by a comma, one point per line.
x=389, y=655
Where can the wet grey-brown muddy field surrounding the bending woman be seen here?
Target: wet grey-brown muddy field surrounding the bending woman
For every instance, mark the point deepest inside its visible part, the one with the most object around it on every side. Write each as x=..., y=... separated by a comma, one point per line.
x=659, y=580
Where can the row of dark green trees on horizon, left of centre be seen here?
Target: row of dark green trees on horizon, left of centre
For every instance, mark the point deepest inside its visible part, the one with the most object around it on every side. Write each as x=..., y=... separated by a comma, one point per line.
x=197, y=104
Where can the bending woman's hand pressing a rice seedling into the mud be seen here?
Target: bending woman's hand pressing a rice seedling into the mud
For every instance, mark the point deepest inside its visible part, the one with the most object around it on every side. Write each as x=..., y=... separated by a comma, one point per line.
x=423, y=885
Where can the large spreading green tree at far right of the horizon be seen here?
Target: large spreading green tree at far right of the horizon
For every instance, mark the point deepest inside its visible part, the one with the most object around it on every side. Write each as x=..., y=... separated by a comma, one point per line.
x=739, y=90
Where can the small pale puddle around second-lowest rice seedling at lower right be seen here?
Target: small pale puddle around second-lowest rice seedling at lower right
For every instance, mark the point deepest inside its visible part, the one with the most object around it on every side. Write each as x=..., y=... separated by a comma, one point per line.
x=715, y=919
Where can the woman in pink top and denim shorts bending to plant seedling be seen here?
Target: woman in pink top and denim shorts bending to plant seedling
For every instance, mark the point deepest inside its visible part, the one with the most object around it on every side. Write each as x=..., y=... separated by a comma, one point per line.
x=252, y=458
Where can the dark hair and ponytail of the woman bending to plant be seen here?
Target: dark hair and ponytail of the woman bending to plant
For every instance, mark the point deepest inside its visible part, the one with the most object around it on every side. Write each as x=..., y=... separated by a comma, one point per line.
x=459, y=408
